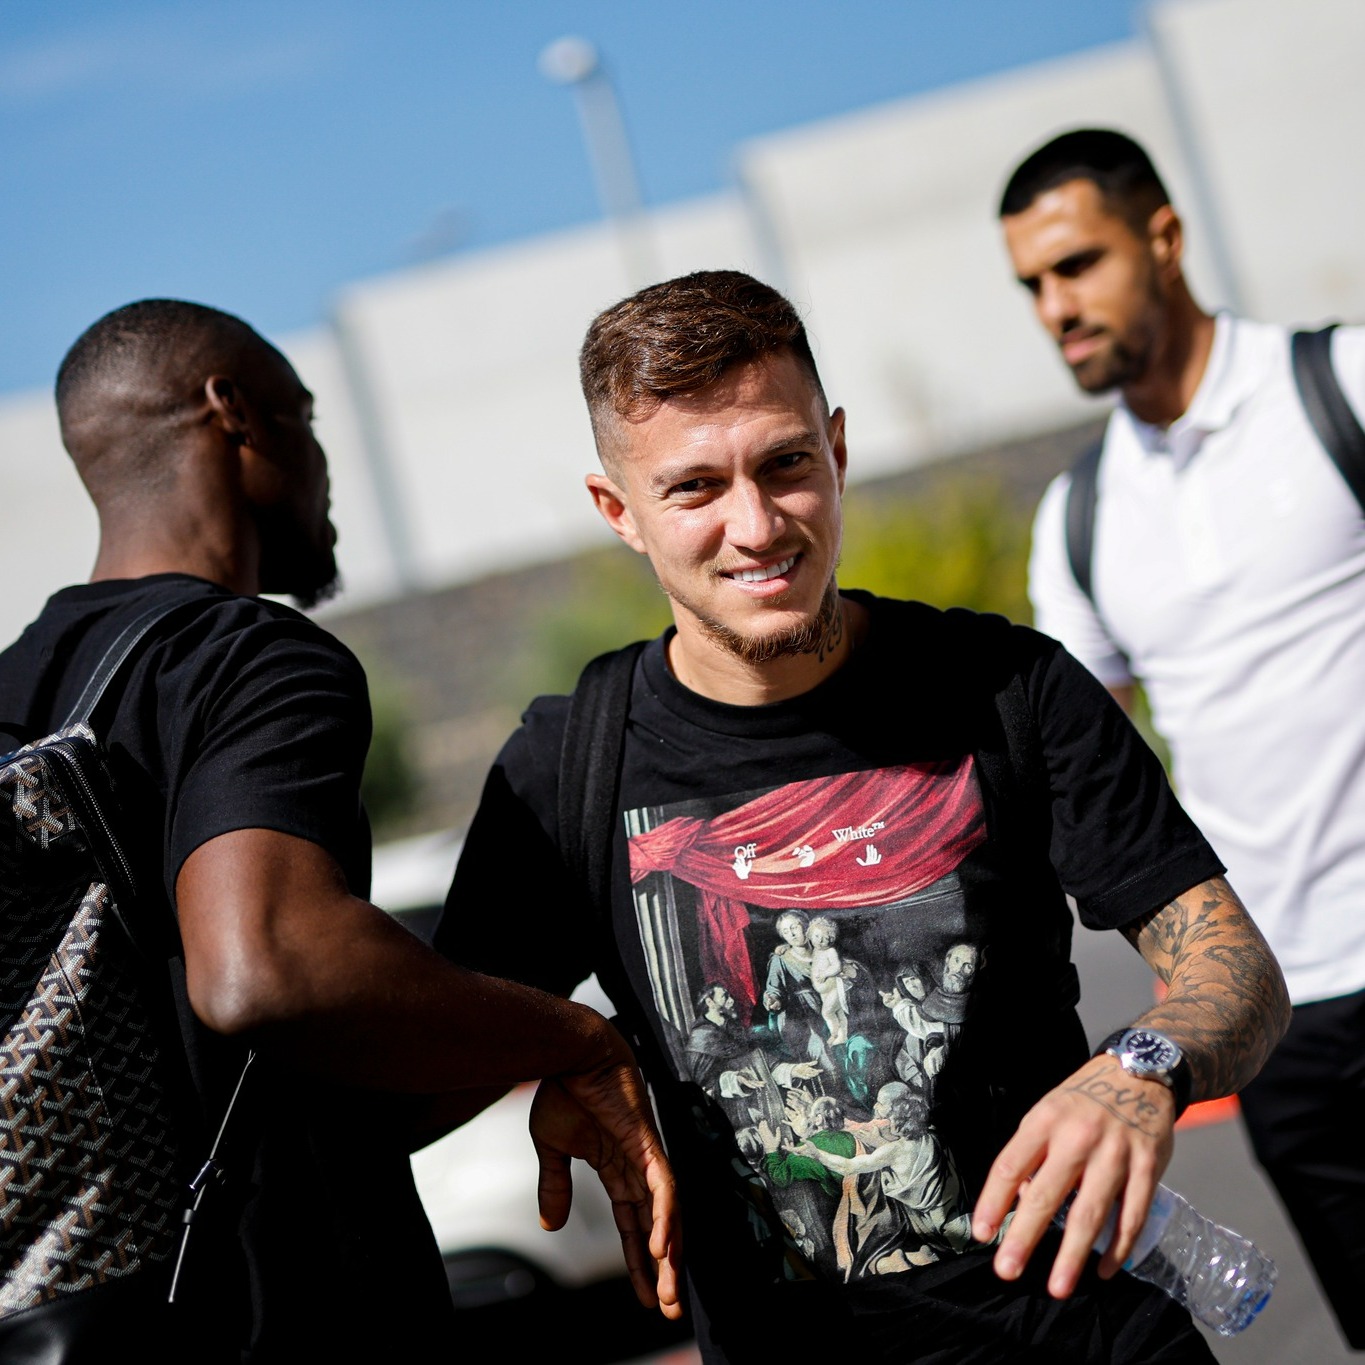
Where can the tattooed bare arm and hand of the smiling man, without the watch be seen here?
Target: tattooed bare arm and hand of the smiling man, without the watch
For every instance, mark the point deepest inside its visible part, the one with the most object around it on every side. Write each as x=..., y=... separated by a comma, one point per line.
x=1106, y=1135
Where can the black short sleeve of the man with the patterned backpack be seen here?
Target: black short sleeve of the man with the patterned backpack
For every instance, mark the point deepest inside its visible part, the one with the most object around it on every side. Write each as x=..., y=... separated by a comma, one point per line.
x=274, y=735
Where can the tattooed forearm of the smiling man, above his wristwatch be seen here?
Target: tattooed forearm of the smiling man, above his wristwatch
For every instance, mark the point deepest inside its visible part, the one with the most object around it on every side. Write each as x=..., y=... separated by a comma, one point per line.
x=1225, y=1001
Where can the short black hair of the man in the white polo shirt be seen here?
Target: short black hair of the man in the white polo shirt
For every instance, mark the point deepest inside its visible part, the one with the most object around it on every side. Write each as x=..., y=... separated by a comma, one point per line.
x=1112, y=162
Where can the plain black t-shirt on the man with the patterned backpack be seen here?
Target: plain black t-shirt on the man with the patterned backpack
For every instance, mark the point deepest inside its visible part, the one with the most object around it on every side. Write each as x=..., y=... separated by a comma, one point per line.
x=244, y=715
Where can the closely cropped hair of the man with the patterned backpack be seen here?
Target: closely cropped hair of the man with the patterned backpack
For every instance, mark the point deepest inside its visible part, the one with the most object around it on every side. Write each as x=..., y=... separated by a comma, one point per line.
x=147, y=338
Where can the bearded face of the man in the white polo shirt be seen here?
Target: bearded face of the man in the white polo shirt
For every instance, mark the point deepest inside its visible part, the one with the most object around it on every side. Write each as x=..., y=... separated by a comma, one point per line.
x=1100, y=285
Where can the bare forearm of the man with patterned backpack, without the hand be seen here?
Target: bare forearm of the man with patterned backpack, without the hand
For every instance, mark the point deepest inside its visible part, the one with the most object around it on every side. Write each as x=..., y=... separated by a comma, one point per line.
x=289, y=960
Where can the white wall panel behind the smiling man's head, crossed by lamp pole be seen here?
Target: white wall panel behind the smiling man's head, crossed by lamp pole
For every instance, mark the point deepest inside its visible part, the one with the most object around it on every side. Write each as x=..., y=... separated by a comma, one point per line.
x=473, y=373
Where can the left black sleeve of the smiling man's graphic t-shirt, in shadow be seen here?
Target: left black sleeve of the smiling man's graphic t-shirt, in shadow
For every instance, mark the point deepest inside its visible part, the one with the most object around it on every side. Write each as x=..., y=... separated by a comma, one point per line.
x=514, y=910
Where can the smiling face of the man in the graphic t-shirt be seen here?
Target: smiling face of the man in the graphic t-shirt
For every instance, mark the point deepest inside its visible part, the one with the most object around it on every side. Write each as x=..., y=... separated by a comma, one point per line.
x=735, y=496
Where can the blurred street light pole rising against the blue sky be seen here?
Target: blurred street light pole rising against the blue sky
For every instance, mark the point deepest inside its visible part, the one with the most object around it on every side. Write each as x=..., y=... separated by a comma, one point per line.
x=575, y=62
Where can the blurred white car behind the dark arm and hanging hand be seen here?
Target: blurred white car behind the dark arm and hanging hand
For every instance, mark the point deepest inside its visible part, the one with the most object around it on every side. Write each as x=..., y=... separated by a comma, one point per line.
x=478, y=1183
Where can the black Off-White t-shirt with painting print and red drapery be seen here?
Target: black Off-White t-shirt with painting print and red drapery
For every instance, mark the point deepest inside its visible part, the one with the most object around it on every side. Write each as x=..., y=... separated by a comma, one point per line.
x=843, y=922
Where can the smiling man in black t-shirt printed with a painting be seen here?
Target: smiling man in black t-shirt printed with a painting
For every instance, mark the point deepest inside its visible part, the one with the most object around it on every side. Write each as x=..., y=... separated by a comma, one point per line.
x=854, y=824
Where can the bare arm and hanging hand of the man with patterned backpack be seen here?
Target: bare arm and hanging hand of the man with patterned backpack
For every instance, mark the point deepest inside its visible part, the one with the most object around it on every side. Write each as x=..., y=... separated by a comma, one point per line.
x=279, y=953
